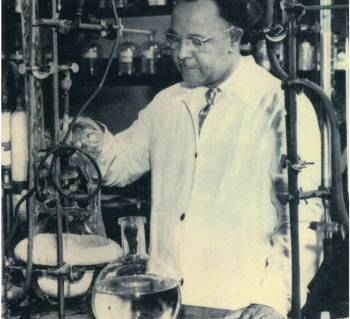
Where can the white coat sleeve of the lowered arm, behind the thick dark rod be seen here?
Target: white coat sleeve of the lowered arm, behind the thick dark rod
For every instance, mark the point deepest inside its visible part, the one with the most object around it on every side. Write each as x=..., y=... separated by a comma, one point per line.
x=275, y=288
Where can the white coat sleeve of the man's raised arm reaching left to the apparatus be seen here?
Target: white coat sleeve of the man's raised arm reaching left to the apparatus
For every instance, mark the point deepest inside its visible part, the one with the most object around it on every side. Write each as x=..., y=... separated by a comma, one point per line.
x=125, y=156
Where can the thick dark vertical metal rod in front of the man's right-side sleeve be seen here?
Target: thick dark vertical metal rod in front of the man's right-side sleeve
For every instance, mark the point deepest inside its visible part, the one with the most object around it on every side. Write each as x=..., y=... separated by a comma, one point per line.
x=292, y=146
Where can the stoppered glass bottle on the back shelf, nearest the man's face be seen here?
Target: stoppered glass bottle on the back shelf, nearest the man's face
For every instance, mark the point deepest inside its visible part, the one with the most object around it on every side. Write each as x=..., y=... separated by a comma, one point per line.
x=150, y=54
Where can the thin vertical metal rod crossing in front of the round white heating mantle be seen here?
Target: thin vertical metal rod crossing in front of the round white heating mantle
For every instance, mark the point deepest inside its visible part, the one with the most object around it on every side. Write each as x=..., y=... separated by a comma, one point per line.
x=60, y=262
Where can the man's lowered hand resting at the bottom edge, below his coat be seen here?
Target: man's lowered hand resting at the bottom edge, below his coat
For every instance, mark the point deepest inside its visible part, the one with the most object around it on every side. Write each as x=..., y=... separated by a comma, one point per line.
x=255, y=311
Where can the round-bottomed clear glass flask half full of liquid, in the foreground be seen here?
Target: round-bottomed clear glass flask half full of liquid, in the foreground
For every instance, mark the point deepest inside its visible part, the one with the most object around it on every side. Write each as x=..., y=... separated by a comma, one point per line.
x=135, y=286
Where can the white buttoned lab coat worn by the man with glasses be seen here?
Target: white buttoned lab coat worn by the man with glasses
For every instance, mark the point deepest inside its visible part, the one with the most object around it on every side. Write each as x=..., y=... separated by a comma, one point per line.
x=215, y=217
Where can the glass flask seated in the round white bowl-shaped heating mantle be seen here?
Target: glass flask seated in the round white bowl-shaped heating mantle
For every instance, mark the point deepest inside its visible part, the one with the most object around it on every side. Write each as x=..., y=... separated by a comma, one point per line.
x=84, y=240
